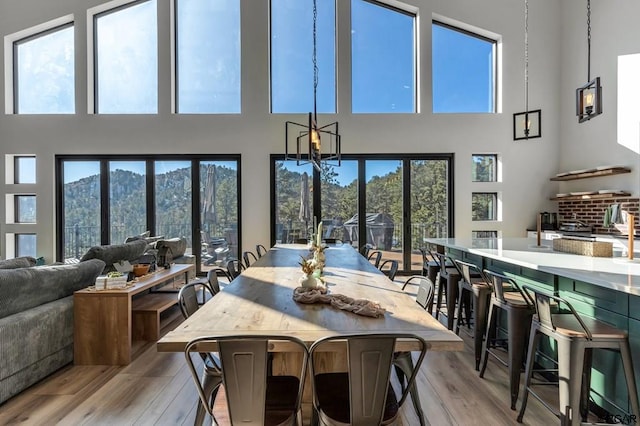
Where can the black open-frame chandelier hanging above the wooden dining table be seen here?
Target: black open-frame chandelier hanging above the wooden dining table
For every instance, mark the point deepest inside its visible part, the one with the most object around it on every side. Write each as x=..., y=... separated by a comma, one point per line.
x=314, y=136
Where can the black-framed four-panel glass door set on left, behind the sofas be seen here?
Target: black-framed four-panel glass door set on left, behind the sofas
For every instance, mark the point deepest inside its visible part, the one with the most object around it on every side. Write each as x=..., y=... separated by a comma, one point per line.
x=104, y=200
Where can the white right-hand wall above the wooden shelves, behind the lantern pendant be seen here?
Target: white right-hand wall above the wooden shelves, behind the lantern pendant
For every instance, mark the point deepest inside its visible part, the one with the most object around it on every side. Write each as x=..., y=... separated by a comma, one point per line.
x=615, y=35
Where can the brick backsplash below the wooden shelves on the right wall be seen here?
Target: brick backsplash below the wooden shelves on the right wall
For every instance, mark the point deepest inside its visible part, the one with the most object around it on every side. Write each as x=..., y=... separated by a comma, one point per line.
x=591, y=212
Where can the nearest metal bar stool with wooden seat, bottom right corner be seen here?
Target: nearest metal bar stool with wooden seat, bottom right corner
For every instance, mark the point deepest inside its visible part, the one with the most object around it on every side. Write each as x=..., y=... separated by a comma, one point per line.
x=576, y=337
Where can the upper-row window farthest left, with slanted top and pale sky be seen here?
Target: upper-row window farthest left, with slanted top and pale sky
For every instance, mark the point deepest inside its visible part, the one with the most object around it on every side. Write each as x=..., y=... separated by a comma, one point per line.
x=44, y=72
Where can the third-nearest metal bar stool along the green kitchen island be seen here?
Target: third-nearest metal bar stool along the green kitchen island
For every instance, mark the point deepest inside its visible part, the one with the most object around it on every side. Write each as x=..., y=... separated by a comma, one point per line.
x=480, y=291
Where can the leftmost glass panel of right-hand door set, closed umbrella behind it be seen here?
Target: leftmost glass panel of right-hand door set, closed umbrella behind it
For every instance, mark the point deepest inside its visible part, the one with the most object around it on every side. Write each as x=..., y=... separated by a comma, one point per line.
x=294, y=202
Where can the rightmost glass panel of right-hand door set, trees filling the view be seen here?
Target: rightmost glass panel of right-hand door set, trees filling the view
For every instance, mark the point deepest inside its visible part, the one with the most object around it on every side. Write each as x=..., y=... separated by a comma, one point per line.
x=429, y=205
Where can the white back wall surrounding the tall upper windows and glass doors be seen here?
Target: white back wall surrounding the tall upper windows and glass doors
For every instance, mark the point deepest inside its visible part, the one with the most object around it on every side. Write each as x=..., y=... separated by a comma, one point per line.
x=256, y=133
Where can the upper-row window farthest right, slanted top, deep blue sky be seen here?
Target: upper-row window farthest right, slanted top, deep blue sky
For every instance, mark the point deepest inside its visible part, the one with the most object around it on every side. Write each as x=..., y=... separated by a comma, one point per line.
x=464, y=71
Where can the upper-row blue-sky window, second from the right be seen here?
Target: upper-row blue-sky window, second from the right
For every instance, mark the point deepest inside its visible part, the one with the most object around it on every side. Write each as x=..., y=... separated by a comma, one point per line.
x=383, y=58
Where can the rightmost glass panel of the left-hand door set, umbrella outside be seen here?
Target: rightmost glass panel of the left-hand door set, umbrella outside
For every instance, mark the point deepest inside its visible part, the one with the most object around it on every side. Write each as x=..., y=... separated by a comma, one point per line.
x=218, y=212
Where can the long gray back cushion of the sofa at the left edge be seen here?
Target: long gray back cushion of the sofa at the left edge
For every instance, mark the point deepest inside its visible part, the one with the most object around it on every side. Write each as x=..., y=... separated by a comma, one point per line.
x=25, y=288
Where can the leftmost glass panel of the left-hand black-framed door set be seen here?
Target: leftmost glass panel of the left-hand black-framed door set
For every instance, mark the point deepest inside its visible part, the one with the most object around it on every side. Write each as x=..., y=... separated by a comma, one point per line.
x=81, y=217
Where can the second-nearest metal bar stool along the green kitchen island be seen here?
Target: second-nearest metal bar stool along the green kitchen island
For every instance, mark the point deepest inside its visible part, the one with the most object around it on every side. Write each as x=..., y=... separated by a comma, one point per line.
x=519, y=308
